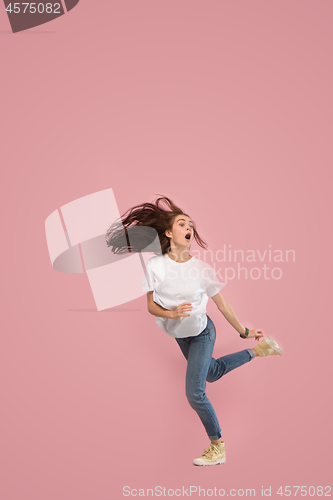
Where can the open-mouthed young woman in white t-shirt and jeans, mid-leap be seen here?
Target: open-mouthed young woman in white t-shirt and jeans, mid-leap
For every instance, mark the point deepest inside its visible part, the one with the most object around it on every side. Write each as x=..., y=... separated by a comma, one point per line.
x=178, y=286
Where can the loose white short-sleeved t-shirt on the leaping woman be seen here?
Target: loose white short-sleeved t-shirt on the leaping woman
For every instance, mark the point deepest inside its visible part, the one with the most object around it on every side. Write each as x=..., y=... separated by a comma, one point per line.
x=176, y=282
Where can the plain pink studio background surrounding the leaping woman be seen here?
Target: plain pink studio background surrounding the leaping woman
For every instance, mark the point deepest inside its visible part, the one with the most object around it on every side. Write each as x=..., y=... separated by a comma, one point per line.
x=225, y=107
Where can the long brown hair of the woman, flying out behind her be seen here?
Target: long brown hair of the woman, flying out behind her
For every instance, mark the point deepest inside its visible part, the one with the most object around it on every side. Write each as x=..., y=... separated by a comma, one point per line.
x=124, y=235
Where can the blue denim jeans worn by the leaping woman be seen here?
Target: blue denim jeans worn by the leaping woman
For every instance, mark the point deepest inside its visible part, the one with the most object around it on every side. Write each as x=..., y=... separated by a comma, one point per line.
x=201, y=367
